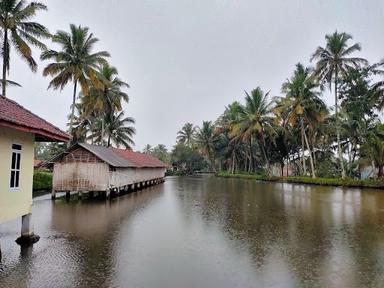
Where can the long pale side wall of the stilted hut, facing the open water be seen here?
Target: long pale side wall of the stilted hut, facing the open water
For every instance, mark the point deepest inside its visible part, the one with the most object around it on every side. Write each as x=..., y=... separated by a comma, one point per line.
x=126, y=176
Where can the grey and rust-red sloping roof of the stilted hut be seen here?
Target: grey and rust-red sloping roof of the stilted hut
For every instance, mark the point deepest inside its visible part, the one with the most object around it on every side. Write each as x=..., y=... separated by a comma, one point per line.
x=123, y=158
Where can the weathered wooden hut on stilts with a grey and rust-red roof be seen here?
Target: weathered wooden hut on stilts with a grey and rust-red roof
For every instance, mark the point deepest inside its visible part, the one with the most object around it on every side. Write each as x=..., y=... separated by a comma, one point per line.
x=91, y=168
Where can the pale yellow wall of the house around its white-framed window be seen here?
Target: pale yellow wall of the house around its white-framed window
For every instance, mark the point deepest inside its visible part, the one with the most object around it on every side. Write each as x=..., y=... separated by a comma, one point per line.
x=15, y=203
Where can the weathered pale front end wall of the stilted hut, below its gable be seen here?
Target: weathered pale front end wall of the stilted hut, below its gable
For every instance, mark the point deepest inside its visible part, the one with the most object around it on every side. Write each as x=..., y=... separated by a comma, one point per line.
x=80, y=176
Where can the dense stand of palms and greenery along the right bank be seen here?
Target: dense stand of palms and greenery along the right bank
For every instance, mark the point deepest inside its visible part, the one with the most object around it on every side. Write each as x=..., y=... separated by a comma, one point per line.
x=296, y=133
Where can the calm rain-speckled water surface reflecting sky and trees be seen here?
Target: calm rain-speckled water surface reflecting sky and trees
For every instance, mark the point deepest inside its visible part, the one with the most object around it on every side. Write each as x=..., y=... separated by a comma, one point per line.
x=204, y=232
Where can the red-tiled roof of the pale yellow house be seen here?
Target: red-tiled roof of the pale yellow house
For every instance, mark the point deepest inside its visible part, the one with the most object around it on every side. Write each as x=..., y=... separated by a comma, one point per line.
x=15, y=116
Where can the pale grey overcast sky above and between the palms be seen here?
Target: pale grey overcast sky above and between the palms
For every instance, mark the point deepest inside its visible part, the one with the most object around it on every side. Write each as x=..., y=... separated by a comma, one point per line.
x=186, y=60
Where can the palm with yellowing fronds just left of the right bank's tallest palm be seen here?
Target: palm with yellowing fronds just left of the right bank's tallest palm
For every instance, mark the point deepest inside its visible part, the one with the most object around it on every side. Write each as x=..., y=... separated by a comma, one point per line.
x=304, y=106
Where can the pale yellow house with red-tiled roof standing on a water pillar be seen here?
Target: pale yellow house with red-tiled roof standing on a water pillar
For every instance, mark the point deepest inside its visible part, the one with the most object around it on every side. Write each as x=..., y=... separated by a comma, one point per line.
x=19, y=129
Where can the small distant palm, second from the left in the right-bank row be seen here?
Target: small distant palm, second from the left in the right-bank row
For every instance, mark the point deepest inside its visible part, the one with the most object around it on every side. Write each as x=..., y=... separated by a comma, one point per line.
x=205, y=140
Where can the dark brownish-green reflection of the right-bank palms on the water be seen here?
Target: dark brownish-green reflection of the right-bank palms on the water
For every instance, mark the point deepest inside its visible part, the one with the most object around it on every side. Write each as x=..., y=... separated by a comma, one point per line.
x=328, y=237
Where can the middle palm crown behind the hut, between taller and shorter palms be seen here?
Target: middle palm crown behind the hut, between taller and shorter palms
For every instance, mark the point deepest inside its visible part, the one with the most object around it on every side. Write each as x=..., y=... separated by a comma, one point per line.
x=109, y=98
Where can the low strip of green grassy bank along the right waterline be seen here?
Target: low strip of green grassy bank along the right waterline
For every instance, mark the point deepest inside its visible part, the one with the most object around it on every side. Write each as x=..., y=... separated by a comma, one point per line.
x=366, y=183
